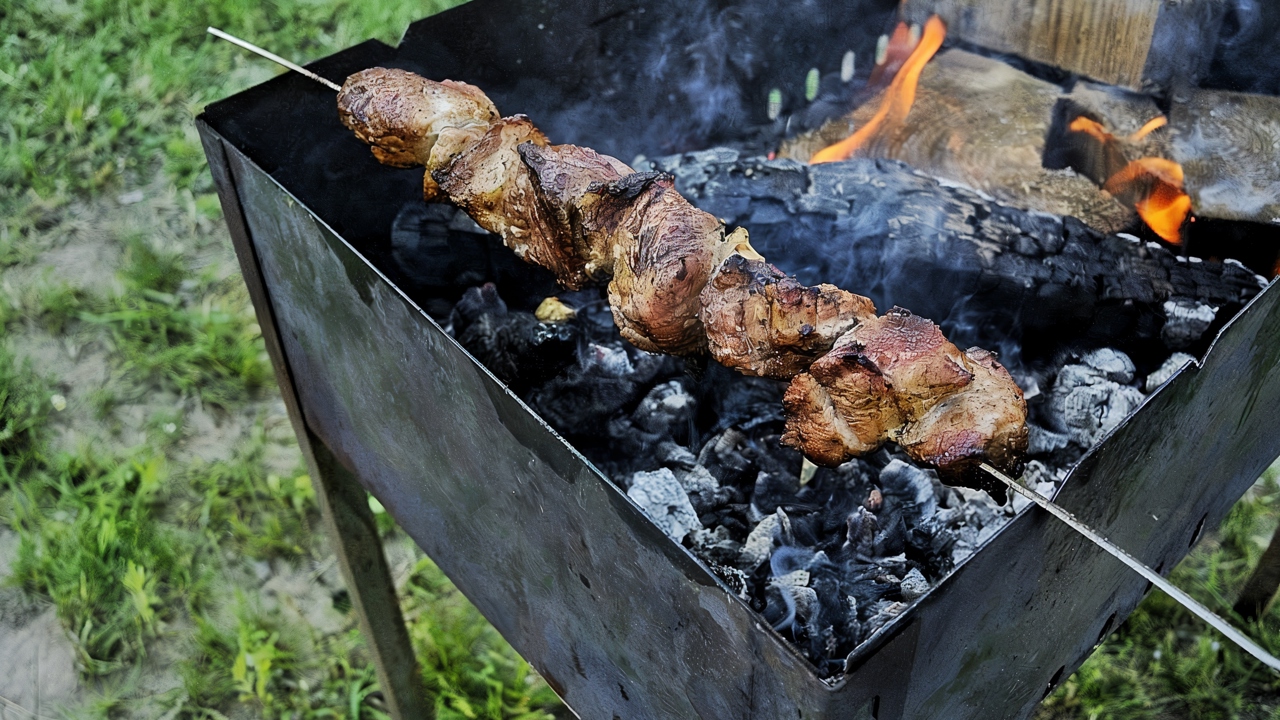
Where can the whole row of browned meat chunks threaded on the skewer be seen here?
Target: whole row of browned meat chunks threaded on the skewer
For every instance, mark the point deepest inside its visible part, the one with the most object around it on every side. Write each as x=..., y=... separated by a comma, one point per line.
x=679, y=284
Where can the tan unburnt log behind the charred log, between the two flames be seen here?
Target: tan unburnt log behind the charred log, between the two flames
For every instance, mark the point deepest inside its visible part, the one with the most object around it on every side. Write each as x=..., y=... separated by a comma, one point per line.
x=982, y=124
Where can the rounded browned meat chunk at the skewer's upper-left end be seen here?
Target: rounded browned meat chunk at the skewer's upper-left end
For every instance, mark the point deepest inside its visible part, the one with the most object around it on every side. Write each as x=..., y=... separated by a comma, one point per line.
x=400, y=113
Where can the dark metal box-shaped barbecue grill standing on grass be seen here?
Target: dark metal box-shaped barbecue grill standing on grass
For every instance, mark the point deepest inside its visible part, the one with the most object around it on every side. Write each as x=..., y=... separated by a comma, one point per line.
x=620, y=621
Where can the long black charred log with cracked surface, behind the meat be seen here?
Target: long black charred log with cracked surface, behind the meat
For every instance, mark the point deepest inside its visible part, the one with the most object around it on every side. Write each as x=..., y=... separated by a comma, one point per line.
x=988, y=272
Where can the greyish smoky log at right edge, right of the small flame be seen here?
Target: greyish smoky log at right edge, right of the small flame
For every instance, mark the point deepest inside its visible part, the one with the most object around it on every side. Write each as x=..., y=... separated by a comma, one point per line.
x=1229, y=148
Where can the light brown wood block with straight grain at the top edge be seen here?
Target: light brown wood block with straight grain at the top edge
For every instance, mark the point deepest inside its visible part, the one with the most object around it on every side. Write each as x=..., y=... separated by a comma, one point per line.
x=1137, y=44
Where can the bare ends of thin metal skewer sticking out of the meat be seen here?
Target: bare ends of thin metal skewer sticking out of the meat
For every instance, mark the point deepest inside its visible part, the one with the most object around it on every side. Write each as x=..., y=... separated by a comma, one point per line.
x=1114, y=550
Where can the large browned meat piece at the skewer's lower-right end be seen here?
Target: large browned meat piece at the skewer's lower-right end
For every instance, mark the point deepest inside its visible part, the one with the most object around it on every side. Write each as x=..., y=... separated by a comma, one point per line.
x=898, y=379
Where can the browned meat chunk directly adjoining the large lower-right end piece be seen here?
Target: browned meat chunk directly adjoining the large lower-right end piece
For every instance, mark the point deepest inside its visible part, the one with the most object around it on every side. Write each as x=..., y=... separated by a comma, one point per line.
x=761, y=322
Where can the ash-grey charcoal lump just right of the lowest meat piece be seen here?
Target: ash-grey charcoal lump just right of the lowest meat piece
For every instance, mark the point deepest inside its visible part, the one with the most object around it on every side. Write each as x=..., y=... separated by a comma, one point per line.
x=1087, y=405
